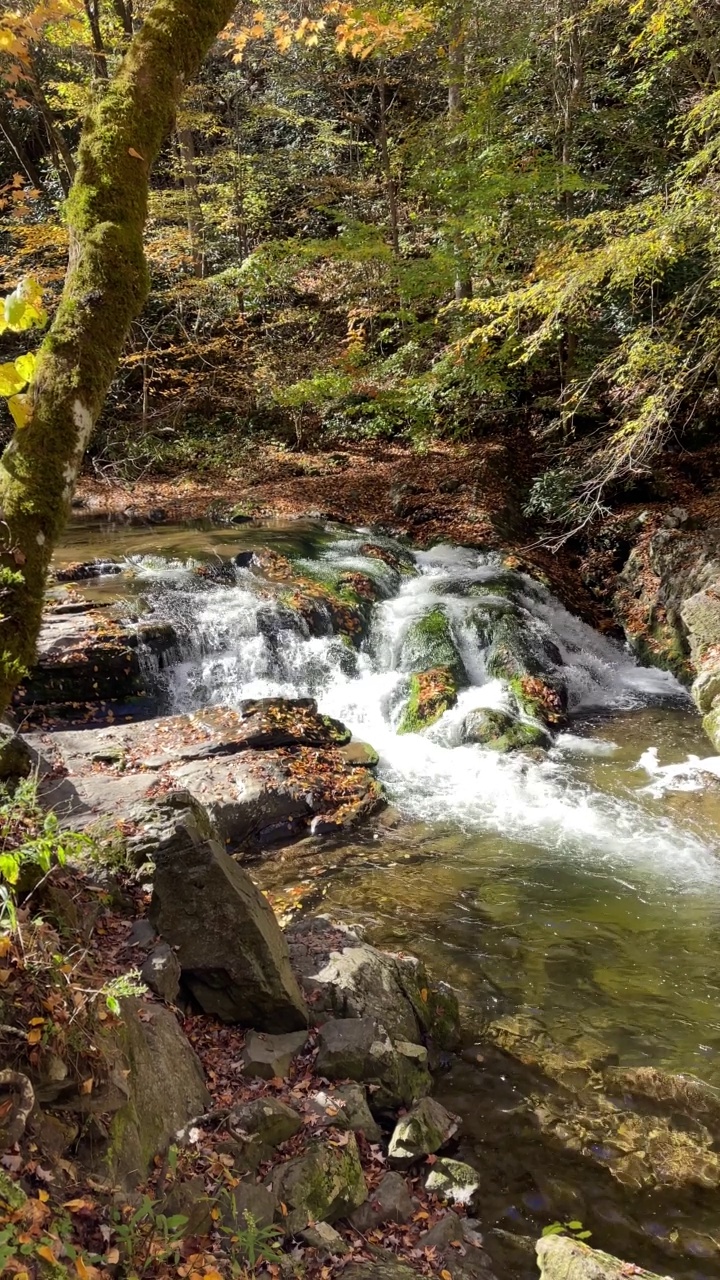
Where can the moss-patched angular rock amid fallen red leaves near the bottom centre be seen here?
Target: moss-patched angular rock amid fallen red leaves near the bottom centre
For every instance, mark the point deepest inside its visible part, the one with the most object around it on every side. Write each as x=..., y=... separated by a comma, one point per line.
x=322, y=1186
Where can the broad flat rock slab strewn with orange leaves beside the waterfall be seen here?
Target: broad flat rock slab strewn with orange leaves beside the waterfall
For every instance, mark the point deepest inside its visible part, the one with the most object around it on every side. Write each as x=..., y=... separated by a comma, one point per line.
x=266, y=772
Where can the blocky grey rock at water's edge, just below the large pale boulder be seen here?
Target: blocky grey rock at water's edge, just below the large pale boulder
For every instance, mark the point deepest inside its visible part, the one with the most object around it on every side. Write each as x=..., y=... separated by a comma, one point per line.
x=358, y=1049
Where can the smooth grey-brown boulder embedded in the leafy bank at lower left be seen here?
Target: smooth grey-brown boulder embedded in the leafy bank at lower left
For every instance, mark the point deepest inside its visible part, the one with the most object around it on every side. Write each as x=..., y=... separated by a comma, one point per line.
x=165, y=1089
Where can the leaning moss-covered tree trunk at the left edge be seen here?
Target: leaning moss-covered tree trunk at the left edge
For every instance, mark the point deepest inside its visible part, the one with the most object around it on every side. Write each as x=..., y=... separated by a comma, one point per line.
x=106, y=289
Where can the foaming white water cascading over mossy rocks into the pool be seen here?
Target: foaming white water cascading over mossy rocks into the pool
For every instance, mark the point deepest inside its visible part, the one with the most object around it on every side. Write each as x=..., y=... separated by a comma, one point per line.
x=238, y=652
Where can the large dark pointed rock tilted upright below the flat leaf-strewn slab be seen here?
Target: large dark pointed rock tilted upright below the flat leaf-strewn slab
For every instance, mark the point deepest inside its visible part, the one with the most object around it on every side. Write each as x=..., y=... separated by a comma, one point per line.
x=233, y=953
